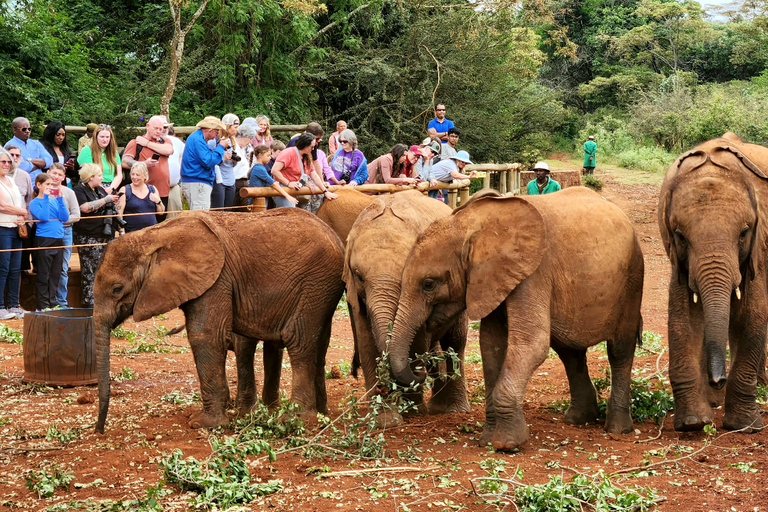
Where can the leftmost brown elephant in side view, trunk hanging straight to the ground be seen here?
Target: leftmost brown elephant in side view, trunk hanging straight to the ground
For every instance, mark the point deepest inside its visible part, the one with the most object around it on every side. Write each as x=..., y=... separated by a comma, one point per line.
x=273, y=276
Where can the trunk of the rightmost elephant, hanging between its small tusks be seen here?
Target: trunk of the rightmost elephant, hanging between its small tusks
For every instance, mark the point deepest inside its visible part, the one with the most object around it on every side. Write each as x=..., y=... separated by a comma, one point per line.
x=716, y=293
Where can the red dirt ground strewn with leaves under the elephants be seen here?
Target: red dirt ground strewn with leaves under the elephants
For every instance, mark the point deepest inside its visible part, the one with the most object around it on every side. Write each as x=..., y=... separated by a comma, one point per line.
x=142, y=429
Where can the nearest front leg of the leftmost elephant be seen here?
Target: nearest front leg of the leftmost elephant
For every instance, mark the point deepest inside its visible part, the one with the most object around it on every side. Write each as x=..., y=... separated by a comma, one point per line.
x=207, y=334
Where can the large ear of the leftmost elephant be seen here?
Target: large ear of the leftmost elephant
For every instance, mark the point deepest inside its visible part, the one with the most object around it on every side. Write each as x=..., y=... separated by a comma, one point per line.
x=182, y=265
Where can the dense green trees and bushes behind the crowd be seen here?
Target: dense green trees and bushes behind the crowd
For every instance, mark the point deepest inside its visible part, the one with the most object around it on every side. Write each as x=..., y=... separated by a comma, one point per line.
x=649, y=78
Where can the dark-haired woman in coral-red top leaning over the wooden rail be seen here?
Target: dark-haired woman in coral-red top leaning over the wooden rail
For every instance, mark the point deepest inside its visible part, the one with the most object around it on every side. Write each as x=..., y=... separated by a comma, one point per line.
x=292, y=164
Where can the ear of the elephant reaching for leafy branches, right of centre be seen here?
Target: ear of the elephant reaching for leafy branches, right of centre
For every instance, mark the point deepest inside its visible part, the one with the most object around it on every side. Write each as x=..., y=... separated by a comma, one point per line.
x=505, y=247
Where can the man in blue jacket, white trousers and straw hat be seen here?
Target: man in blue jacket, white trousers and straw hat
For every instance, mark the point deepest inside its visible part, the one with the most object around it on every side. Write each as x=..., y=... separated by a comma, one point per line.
x=198, y=166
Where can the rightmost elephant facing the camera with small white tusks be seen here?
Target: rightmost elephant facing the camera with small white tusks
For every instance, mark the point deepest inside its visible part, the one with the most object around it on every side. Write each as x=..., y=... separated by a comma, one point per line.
x=712, y=218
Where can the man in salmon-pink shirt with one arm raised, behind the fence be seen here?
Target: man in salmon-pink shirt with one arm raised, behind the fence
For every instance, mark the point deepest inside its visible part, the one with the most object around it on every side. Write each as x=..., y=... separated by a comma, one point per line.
x=153, y=150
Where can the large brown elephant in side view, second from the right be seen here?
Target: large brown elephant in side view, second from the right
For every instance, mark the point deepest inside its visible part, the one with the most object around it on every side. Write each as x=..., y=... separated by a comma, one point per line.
x=563, y=270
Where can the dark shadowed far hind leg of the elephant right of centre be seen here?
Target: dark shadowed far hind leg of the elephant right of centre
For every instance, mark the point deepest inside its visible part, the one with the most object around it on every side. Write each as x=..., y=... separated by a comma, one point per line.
x=583, y=408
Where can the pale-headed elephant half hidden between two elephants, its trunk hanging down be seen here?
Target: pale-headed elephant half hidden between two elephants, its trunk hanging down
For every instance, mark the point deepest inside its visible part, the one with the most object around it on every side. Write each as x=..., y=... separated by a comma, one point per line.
x=378, y=245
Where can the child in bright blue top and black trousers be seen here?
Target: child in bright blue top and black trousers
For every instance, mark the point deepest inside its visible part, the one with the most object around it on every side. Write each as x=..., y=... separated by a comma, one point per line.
x=50, y=210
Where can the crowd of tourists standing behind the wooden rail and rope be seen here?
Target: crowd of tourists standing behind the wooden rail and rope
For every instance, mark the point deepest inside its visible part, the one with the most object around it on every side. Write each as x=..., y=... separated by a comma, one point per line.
x=53, y=197
